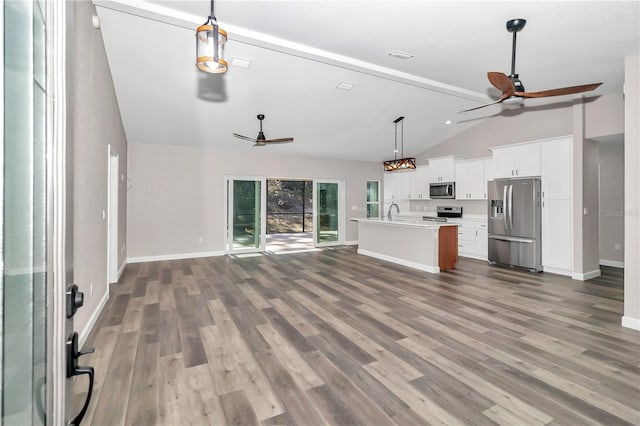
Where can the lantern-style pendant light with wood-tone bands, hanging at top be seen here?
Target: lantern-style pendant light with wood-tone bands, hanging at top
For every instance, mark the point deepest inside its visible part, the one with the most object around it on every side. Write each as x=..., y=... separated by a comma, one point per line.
x=210, y=43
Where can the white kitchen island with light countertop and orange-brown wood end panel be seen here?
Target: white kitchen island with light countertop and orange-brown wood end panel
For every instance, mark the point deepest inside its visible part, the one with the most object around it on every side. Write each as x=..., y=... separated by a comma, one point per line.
x=428, y=246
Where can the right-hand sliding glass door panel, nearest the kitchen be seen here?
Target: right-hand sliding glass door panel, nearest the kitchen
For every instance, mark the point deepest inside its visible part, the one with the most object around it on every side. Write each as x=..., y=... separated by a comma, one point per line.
x=328, y=212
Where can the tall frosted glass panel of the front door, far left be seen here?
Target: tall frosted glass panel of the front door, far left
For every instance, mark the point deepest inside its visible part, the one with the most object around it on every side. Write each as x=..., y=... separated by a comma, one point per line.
x=23, y=215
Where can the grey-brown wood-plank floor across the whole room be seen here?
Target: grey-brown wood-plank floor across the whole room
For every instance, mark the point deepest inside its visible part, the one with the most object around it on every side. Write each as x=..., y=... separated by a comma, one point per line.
x=332, y=337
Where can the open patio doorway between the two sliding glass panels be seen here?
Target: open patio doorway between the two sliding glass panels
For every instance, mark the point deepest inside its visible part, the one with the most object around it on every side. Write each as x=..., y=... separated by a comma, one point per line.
x=289, y=215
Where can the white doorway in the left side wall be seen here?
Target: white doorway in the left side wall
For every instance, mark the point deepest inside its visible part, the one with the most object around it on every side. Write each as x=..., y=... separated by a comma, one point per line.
x=113, y=159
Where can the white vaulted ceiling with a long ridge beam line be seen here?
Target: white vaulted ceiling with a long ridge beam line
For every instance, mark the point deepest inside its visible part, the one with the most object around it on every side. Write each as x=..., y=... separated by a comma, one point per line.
x=301, y=50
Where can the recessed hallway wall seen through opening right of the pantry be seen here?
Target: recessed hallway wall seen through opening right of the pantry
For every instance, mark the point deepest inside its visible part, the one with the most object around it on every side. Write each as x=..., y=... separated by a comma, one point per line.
x=612, y=202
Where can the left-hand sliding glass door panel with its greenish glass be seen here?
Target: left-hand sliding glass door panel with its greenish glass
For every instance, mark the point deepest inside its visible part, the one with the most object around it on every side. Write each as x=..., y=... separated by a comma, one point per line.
x=246, y=214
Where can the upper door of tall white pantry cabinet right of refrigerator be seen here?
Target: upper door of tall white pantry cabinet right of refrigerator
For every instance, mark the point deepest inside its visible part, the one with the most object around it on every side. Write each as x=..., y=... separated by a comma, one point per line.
x=556, y=169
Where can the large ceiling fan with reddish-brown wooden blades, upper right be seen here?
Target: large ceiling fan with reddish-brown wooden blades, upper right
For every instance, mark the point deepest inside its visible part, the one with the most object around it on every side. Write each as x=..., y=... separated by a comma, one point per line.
x=512, y=87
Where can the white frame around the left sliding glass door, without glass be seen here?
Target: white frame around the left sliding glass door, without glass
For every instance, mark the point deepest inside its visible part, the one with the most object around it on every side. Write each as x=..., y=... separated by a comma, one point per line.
x=228, y=218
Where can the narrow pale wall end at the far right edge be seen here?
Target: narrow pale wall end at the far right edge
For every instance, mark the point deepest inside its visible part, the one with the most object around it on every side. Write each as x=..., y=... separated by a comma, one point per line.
x=632, y=193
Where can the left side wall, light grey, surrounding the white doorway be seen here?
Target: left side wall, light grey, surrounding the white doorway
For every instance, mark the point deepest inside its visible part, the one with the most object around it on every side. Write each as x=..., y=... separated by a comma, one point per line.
x=96, y=124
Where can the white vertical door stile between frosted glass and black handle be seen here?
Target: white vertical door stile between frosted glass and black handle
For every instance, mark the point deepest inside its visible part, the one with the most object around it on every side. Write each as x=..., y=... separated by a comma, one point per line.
x=59, y=211
